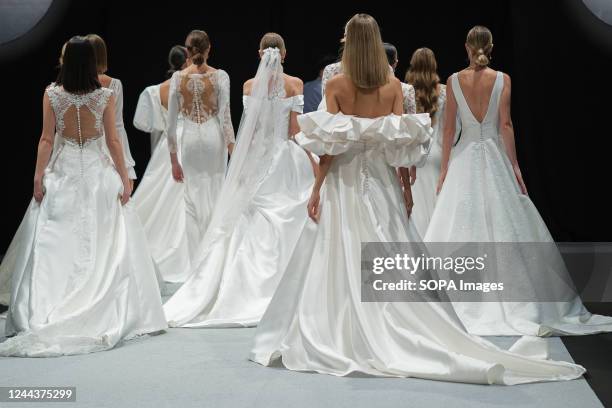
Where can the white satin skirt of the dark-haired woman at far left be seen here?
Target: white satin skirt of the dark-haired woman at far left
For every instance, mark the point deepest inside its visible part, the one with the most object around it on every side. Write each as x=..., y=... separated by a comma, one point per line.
x=82, y=276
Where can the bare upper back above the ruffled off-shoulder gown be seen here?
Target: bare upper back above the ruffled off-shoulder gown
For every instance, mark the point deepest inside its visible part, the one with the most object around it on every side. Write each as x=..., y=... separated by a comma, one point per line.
x=343, y=96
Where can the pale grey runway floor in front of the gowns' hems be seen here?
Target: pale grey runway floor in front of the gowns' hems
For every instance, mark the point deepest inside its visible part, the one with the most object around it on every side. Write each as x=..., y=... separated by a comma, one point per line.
x=209, y=368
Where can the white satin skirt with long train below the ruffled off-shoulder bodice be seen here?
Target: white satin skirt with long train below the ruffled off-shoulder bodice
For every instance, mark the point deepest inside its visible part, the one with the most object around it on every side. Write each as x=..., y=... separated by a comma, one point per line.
x=316, y=320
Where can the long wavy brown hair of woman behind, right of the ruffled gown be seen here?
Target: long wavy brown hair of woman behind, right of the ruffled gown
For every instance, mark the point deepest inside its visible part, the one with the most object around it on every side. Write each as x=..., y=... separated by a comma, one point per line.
x=423, y=75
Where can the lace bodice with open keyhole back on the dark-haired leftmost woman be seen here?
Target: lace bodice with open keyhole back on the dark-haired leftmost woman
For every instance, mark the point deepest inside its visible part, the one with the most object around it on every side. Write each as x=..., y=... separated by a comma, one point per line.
x=78, y=117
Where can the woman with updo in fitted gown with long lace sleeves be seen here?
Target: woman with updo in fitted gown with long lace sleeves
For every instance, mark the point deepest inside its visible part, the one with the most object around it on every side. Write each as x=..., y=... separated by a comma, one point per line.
x=200, y=94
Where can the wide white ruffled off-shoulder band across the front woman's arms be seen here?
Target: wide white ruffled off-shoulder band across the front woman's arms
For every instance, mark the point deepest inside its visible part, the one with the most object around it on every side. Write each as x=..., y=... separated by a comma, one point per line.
x=403, y=140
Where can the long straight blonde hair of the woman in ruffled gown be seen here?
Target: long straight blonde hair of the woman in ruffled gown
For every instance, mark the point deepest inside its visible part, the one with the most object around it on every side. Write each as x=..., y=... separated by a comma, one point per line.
x=364, y=60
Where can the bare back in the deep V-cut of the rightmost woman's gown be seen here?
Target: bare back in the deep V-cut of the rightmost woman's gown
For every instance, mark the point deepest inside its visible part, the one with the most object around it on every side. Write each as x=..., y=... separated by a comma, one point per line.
x=477, y=86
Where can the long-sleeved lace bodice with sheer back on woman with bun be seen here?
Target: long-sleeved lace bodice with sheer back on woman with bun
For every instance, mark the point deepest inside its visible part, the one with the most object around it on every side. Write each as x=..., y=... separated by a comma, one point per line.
x=199, y=98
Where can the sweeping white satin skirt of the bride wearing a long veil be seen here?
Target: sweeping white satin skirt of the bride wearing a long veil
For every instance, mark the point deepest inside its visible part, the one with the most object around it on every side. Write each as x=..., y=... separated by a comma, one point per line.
x=234, y=282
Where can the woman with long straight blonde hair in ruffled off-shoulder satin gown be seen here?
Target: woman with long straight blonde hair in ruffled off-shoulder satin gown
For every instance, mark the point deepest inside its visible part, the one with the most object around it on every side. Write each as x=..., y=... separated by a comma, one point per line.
x=316, y=320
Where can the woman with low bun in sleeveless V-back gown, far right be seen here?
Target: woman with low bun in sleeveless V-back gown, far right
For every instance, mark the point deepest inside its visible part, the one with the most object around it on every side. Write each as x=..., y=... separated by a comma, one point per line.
x=482, y=198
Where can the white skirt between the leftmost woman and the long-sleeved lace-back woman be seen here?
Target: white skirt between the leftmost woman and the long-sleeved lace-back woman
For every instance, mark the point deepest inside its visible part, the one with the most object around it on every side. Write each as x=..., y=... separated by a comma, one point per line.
x=159, y=202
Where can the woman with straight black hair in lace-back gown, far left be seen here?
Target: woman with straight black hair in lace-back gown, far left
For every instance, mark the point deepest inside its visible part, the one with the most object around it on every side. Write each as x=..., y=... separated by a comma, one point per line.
x=82, y=275
